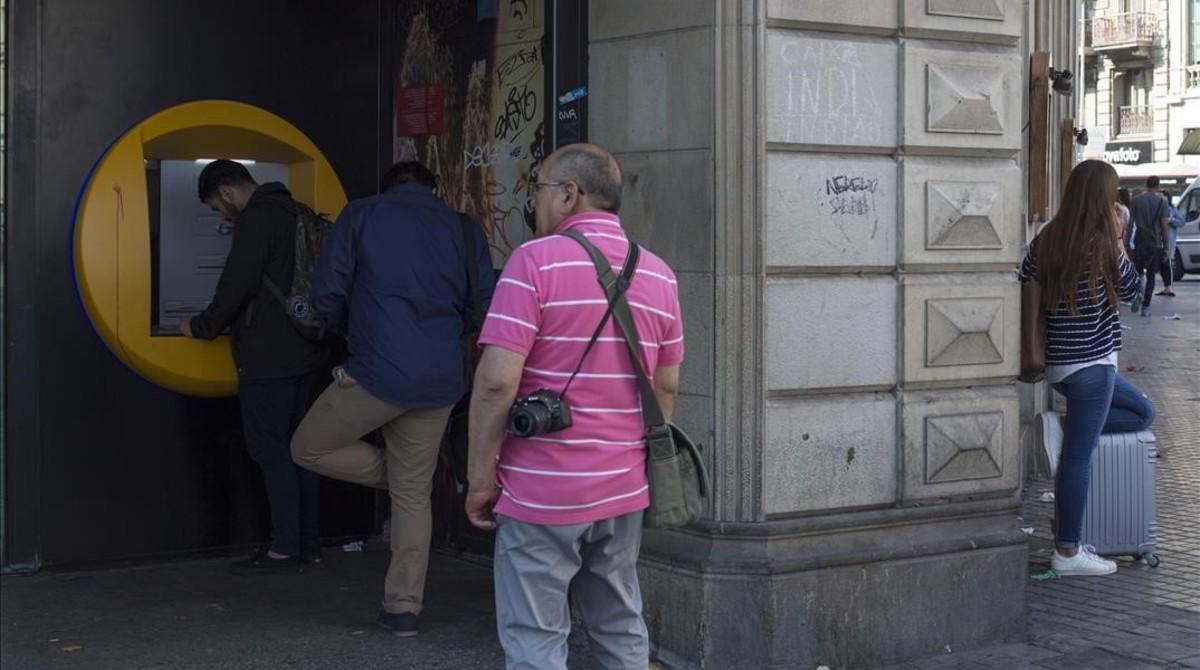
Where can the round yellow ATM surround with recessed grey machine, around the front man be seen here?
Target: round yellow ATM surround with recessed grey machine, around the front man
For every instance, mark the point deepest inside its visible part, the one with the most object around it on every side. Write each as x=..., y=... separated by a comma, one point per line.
x=148, y=253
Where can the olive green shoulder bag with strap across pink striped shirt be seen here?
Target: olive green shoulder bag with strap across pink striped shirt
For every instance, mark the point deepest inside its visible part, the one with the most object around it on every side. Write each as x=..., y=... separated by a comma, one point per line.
x=675, y=465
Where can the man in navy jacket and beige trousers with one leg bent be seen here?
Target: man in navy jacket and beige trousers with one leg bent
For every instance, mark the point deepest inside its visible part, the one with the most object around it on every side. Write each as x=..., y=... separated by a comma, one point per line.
x=394, y=278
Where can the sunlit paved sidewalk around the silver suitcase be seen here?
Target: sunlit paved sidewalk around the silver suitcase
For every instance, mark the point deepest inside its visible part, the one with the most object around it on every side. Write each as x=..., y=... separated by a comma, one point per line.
x=1141, y=618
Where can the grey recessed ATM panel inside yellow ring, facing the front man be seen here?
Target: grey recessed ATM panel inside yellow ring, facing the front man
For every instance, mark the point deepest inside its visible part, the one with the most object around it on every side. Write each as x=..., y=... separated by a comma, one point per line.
x=189, y=242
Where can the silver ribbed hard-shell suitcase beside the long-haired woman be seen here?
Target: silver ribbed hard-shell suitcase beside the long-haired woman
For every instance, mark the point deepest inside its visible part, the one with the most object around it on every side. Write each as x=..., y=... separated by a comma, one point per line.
x=1121, y=518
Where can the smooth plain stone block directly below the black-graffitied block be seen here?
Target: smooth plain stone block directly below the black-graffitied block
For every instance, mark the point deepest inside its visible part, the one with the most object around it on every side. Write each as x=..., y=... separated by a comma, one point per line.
x=831, y=332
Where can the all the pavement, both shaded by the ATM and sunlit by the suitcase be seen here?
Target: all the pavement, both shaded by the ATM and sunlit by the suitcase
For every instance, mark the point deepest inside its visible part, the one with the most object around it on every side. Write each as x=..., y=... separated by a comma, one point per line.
x=193, y=614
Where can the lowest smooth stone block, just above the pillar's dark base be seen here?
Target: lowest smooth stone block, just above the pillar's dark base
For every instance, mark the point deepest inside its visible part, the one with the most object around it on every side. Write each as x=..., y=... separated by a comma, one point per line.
x=830, y=453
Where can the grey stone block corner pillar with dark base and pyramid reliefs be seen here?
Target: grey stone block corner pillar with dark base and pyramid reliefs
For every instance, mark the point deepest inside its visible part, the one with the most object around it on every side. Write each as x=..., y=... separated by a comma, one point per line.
x=839, y=182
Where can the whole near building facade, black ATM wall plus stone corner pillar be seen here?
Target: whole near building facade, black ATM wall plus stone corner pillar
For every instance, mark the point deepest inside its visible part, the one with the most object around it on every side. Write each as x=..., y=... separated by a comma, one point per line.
x=841, y=187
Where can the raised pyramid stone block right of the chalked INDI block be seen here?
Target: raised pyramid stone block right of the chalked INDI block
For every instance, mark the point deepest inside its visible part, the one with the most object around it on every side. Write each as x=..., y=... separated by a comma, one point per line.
x=962, y=101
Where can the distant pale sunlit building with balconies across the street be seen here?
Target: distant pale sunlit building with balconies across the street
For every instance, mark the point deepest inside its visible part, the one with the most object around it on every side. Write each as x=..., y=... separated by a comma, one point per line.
x=1142, y=97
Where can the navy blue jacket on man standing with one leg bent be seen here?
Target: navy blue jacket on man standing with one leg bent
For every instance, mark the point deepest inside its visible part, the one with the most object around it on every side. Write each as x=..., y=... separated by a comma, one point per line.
x=393, y=278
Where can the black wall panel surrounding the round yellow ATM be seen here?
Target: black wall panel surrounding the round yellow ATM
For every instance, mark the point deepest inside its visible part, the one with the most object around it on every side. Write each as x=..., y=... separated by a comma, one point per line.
x=100, y=464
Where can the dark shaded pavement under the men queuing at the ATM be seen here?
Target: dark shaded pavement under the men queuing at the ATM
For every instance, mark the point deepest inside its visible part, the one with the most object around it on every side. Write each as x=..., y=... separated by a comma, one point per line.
x=195, y=615
